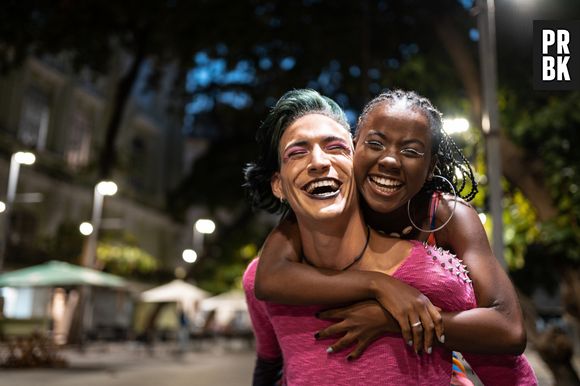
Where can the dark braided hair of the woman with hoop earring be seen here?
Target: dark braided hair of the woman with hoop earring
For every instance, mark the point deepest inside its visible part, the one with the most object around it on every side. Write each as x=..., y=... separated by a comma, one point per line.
x=451, y=162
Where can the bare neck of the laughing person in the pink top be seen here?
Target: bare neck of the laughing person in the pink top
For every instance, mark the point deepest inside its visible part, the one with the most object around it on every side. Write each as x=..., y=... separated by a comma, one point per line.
x=334, y=244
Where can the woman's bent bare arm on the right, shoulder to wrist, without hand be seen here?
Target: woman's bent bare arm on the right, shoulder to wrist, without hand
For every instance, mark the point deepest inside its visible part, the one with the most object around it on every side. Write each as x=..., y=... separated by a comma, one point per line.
x=496, y=325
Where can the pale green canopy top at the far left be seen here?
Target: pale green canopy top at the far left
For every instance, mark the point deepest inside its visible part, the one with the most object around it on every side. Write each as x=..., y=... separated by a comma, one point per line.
x=59, y=273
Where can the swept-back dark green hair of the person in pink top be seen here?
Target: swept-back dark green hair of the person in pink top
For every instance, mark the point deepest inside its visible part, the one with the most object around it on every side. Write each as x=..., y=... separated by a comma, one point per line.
x=289, y=108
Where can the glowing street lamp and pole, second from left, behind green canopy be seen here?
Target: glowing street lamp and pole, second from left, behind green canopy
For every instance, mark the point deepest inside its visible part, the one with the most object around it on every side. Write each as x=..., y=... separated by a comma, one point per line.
x=102, y=189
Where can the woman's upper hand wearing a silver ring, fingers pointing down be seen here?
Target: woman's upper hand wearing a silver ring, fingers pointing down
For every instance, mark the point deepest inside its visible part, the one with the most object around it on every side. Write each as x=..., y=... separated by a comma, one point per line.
x=409, y=306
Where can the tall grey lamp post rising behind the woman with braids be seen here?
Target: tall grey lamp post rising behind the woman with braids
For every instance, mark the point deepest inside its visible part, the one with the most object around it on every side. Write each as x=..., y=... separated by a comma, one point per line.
x=490, y=119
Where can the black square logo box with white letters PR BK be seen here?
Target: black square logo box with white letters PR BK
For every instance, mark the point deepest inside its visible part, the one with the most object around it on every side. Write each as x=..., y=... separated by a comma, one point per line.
x=573, y=28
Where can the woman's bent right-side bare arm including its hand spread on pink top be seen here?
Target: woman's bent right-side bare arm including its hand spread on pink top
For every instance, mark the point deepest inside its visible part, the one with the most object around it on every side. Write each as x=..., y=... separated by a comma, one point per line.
x=494, y=327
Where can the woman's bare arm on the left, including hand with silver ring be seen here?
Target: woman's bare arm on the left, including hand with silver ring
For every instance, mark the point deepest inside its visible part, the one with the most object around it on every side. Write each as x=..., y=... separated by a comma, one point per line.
x=282, y=279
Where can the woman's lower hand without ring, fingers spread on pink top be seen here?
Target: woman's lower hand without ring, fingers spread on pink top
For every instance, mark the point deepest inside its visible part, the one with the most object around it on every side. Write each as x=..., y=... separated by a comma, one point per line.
x=362, y=322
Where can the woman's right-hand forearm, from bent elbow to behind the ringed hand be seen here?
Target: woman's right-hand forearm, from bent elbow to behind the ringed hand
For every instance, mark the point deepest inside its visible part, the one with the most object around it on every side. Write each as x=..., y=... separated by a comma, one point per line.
x=483, y=331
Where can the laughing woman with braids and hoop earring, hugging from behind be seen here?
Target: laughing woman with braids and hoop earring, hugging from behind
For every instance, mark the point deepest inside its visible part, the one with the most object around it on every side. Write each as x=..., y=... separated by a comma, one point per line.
x=406, y=169
